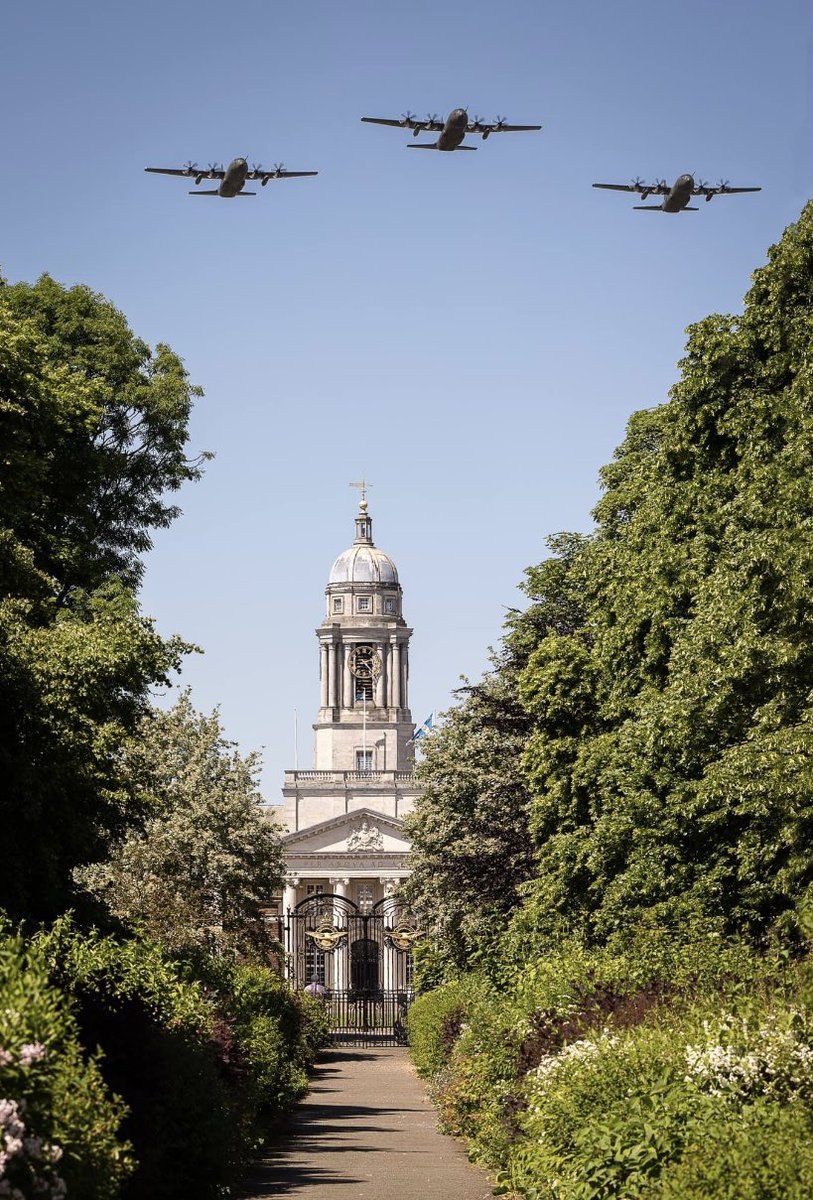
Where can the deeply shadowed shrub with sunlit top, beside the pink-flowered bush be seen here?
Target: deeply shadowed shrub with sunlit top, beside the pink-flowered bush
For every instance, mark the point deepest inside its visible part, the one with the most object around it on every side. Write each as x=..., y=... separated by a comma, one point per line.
x=165, y=1054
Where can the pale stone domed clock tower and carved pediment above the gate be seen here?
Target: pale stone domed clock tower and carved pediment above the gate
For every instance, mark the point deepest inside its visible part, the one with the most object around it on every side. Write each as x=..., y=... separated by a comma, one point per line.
x=345, y=817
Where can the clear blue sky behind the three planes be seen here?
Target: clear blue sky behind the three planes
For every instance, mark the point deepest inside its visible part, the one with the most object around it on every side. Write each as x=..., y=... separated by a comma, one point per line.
x=469, y=332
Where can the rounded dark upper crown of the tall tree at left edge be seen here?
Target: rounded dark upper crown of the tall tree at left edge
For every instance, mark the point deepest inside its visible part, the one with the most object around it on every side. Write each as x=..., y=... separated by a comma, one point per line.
x=93, y=435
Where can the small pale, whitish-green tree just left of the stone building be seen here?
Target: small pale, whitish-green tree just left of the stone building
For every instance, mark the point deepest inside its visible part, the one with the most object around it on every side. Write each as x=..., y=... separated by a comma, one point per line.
x=204, y=861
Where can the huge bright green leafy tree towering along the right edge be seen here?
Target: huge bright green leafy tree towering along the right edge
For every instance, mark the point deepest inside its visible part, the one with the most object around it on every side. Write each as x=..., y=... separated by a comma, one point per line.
x=671, y=748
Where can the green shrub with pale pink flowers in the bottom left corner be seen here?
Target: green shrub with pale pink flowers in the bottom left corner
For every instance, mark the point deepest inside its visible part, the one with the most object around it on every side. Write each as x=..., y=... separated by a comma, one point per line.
x=59, y=1124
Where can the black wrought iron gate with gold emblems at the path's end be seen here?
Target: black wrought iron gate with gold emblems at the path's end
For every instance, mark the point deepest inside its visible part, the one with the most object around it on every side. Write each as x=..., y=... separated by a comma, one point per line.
x=359, y=962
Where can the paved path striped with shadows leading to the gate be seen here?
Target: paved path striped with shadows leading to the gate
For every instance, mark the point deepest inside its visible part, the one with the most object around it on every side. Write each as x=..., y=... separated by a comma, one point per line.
x=366, y=1130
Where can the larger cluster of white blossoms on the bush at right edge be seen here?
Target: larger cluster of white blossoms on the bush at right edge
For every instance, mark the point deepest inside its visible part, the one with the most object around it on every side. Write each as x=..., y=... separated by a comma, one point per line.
x=743, y=1058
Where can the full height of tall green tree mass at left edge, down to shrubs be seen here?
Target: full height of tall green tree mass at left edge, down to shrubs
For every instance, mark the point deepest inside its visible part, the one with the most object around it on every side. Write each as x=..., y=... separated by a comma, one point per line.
x=93, y=429
